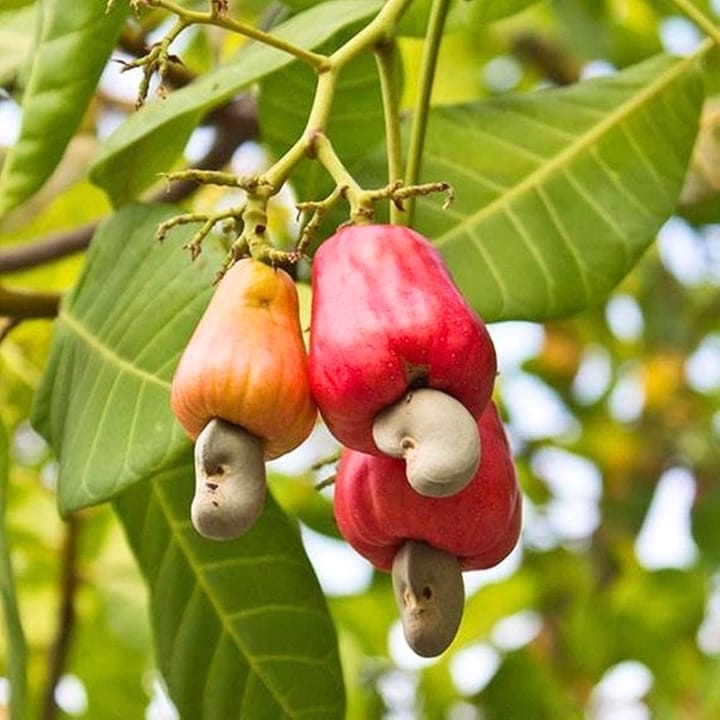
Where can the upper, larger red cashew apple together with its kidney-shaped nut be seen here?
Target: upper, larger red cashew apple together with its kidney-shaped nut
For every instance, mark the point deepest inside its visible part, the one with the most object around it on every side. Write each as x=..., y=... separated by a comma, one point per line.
x=387, y=320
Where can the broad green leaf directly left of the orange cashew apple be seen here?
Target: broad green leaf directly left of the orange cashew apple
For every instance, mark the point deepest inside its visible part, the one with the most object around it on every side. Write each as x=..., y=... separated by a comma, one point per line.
x=103, y=404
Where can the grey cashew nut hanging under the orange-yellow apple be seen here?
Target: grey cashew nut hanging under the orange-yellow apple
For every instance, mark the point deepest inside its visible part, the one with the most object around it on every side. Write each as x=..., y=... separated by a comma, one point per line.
x=230, y=485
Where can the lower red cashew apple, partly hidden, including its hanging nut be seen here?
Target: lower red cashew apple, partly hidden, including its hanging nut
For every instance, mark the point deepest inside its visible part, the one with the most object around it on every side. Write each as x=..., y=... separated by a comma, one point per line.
x=427, y=542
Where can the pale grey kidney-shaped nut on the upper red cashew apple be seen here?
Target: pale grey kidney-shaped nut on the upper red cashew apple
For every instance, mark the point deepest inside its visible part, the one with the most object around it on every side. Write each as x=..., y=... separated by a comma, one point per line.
x=437, y=436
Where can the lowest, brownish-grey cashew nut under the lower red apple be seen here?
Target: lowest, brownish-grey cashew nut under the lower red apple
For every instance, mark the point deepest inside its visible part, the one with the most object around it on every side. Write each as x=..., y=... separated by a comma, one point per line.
x=430, y=594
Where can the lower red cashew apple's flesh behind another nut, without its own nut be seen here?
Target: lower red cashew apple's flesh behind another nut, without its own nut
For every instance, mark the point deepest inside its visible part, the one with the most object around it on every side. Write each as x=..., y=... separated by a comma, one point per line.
x=377, y=510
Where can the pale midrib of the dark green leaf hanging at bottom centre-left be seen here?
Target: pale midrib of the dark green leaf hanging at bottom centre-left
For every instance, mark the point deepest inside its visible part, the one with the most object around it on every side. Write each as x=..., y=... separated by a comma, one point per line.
x=224, y=618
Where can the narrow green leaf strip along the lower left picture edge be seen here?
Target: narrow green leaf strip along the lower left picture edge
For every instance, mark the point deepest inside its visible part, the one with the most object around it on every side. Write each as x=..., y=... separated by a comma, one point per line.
x=14, y=636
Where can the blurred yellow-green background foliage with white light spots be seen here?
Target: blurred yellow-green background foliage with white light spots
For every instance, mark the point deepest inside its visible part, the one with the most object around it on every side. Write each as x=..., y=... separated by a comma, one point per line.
x=610, y=608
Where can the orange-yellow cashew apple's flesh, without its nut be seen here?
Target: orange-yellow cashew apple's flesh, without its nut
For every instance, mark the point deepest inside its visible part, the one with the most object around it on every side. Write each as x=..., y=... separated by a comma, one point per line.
x=246, y=362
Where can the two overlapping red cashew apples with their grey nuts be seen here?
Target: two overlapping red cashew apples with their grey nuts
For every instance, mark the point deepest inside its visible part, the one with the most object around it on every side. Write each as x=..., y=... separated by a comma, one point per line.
x=402, y=370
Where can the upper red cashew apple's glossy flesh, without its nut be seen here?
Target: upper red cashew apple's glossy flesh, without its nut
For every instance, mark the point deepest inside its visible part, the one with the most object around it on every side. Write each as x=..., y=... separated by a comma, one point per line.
x=386, y=318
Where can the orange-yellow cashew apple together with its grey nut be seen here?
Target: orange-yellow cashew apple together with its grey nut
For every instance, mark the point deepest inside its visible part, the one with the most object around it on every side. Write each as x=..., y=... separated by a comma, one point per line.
x=241, y=391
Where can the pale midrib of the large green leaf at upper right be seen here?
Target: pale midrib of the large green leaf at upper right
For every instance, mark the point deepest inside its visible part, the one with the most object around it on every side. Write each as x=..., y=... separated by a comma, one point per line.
x=582, y=144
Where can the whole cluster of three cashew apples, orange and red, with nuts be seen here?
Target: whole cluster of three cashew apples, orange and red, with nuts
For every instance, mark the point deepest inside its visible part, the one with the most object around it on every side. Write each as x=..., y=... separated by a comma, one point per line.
x=402, y=371
